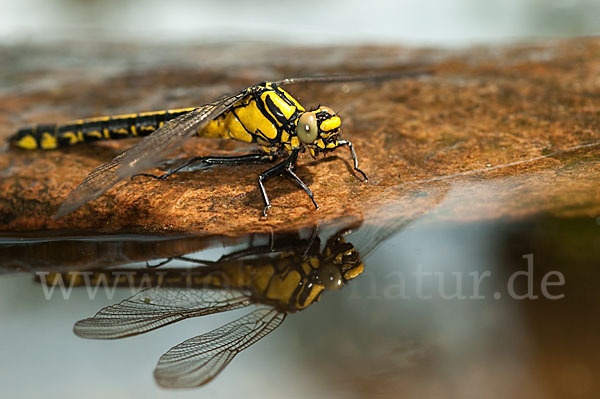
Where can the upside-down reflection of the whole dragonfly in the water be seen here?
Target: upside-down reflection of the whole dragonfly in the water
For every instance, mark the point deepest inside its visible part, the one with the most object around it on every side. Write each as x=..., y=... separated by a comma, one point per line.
x=283, y=277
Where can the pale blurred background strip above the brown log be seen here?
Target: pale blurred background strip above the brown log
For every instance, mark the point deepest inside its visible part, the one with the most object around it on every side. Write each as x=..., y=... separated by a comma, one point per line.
x=436, y=22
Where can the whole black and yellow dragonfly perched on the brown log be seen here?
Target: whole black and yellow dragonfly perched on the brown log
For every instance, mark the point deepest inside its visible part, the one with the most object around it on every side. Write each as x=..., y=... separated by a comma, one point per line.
x=264, y=114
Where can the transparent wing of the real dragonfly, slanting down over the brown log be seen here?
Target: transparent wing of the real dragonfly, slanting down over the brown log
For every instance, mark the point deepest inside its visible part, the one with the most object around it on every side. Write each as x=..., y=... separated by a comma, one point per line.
x=150, y=151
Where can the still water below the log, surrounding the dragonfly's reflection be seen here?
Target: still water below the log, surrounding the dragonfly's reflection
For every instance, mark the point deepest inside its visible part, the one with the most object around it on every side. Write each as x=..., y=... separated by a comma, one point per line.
x=481, y=309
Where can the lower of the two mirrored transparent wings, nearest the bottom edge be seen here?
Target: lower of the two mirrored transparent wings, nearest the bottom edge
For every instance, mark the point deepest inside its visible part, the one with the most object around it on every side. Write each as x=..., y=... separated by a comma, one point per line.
x=198, y=360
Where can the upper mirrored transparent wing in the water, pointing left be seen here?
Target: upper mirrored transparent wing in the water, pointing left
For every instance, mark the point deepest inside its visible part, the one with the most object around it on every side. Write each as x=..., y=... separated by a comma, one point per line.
x=156, y=307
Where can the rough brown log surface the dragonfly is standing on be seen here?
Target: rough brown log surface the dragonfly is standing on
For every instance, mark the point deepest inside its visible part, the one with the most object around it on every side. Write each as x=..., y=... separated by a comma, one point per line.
x=479, y=109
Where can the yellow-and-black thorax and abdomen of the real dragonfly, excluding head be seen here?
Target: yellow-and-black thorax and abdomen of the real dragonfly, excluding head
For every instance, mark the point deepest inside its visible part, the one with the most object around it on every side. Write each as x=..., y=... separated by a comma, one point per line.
x=267, y=117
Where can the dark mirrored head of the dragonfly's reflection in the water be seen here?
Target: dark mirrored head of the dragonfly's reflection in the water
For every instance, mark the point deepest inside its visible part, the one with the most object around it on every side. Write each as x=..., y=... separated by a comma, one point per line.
x=341, y=263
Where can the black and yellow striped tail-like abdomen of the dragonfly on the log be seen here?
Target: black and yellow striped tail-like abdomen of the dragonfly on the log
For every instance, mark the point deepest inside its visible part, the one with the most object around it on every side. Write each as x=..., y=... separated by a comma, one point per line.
x=50, y=136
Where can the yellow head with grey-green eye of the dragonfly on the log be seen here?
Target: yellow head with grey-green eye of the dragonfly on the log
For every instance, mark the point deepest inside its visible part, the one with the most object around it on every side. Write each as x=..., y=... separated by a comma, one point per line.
x=319, y=129
